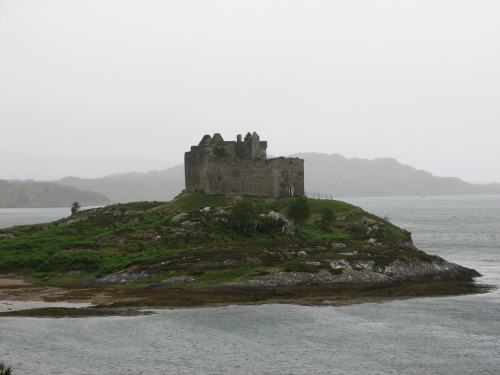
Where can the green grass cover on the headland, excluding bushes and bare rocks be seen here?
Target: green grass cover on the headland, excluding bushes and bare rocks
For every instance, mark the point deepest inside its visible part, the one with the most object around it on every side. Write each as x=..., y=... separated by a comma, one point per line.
x=105, y=240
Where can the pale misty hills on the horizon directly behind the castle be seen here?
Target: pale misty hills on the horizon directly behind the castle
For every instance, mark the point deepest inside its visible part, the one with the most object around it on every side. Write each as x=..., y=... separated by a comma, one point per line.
x=326, y=174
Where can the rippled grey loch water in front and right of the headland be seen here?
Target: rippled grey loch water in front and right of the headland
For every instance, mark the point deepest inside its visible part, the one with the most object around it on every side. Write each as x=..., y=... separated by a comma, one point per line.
x=438, y=335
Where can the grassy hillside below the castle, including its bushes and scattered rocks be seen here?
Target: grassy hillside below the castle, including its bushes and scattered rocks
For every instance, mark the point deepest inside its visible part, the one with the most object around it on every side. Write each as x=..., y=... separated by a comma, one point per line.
x=200, y=236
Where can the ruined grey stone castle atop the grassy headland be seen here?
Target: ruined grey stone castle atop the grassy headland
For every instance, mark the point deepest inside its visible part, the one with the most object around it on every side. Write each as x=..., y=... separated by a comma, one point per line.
x=241, y=167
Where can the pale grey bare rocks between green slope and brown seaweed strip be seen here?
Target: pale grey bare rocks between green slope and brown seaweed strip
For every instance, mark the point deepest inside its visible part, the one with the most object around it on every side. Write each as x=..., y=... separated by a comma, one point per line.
x=349, y=272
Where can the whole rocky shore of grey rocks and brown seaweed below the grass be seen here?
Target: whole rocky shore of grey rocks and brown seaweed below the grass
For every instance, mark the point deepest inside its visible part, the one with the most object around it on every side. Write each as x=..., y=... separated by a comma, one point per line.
x=437, y=278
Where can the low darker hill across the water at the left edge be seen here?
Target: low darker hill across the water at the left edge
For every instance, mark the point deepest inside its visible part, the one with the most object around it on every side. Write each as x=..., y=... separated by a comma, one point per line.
x=46, y=194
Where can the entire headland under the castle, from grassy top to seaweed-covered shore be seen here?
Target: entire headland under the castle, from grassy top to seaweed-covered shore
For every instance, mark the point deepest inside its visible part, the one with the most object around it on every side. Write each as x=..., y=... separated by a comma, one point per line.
x=206, y=250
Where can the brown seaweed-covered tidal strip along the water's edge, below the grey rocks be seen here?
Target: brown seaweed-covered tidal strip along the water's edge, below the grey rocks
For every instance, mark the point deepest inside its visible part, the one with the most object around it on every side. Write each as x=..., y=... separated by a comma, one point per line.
x=65, y=302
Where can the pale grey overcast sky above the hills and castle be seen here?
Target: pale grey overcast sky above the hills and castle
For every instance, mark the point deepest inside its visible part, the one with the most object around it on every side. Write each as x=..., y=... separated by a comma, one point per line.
x=122, y=81
